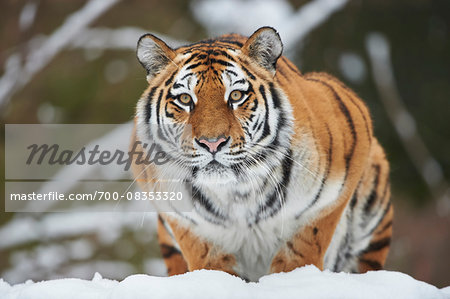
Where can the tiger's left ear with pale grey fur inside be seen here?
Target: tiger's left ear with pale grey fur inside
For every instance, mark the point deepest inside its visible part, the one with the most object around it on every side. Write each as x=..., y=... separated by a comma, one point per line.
x=153, y=54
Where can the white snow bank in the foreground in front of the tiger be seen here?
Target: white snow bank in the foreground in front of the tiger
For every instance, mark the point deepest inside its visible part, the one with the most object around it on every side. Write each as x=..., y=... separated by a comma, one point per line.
x=306, y=282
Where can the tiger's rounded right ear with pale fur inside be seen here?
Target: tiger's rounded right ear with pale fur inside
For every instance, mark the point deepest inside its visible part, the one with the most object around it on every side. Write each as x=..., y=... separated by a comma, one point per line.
x=264, y=46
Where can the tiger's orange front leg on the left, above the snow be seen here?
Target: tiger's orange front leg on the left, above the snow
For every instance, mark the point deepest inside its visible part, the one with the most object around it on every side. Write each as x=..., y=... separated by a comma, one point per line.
x=196, y=252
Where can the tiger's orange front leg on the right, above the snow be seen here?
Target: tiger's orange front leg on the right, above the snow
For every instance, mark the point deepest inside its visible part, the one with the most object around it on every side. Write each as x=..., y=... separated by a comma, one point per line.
x=309, y=244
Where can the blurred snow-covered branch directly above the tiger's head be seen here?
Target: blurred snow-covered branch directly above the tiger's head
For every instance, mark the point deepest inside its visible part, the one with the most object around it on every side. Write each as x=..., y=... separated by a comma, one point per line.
x=221, y=16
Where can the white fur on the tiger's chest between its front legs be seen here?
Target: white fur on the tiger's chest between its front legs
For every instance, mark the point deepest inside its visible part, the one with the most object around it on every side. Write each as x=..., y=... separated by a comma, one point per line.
x=255, y=246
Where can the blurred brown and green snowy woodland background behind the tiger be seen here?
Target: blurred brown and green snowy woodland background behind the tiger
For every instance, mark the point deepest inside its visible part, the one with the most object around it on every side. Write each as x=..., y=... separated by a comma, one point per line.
x=73, y=62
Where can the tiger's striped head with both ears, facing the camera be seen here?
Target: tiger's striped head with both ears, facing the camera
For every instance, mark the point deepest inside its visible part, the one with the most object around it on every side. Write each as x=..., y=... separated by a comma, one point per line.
x=215, y=106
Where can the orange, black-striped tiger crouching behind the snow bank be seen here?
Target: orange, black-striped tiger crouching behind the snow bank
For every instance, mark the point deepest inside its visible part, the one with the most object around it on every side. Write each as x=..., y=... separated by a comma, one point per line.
x=283, y=167
